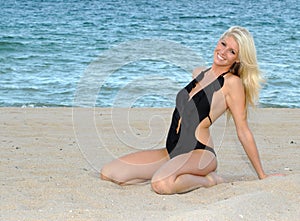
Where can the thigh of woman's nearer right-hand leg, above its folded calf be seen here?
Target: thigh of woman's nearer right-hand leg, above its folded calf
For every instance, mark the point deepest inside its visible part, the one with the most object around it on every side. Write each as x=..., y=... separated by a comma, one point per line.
x=196, y=162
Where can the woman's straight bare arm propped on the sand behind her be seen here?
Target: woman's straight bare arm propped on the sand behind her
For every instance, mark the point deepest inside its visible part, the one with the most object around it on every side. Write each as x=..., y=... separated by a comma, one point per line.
x=235, y=100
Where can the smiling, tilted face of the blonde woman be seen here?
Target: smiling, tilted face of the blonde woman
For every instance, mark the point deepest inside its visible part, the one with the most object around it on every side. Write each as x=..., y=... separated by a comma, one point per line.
x=226, y=52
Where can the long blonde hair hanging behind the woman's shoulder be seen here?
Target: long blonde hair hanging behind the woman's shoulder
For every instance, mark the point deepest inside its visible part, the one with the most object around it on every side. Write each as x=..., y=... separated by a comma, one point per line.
x=247, y=68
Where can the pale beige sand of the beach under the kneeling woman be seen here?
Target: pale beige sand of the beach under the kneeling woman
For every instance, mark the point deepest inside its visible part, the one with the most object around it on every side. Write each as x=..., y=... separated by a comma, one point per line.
x=50, y=158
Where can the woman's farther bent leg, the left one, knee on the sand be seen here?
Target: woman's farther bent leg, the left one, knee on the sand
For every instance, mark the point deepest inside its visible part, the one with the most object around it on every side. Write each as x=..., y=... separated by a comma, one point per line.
x=134, y=168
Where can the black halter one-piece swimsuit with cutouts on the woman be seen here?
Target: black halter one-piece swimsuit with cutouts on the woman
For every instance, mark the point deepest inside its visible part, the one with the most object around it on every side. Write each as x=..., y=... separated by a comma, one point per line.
x=181, y=137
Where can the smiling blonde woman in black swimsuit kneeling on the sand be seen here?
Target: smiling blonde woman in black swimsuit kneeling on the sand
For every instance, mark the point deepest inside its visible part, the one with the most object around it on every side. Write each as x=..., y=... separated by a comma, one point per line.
x=189, y=160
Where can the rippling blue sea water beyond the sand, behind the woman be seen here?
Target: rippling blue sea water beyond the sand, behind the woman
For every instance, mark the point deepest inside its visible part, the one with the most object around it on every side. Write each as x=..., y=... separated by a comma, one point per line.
x=46, y=48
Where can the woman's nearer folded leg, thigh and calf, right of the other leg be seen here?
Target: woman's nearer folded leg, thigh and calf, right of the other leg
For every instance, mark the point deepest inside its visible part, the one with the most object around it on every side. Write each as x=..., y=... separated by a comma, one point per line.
x=186, y=172
